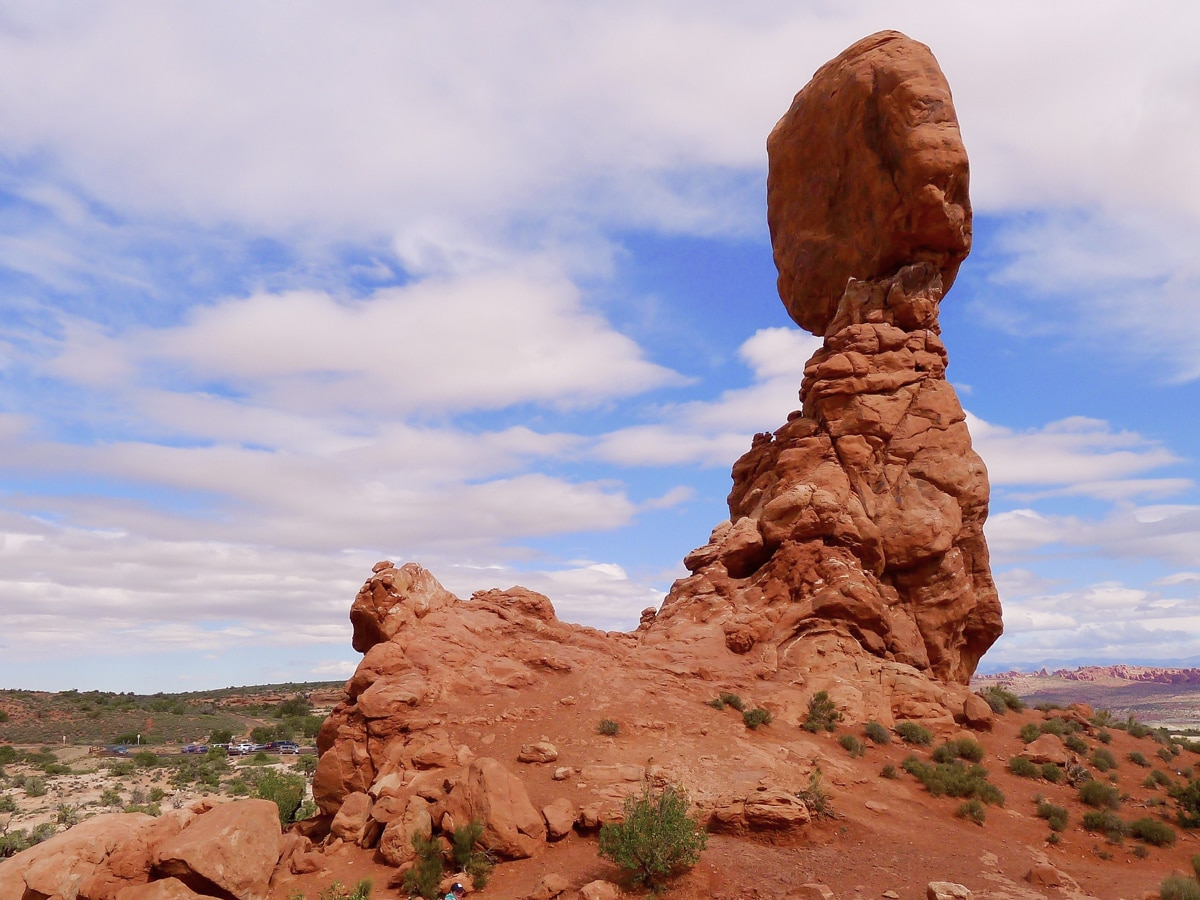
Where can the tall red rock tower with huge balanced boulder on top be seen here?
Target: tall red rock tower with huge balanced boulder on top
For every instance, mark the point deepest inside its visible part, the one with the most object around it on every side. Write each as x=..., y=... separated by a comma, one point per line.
x=855, y=543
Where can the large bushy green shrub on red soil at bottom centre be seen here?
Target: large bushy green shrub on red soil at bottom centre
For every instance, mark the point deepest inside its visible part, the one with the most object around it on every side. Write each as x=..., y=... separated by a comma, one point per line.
x=658, y=837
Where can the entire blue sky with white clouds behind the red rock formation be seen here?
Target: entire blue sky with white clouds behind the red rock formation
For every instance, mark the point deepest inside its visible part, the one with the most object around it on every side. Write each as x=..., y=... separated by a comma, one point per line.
x=286, y=290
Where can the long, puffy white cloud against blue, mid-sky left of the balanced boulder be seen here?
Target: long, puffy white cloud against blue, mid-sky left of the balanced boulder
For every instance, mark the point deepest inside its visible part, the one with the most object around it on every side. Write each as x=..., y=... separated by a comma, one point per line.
x=445, y=345
